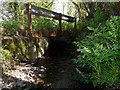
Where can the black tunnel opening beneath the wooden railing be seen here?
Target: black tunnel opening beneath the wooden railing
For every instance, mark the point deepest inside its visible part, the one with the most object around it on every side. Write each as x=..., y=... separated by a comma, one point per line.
x=58, y=47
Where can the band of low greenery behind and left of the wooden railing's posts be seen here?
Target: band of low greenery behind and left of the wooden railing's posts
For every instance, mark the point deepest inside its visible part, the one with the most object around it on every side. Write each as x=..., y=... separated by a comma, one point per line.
x=42, y=25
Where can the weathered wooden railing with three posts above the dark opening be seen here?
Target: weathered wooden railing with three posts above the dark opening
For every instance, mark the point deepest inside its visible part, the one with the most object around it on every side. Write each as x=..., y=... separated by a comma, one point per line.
x=37, y=11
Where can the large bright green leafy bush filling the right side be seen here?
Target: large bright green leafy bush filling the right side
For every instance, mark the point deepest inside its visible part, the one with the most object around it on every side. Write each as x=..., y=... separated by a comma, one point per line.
x=99, y=57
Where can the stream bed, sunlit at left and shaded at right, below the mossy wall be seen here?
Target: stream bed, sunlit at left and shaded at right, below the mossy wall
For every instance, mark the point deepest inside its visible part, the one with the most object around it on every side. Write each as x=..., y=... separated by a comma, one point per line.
x=52, y=72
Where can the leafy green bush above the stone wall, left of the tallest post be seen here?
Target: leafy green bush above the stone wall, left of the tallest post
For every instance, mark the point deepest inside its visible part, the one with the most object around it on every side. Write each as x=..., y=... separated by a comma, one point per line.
x=13, y=26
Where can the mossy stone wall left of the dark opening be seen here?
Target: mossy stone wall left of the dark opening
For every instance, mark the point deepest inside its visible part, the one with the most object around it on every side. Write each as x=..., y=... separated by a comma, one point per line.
x=25, y=48
